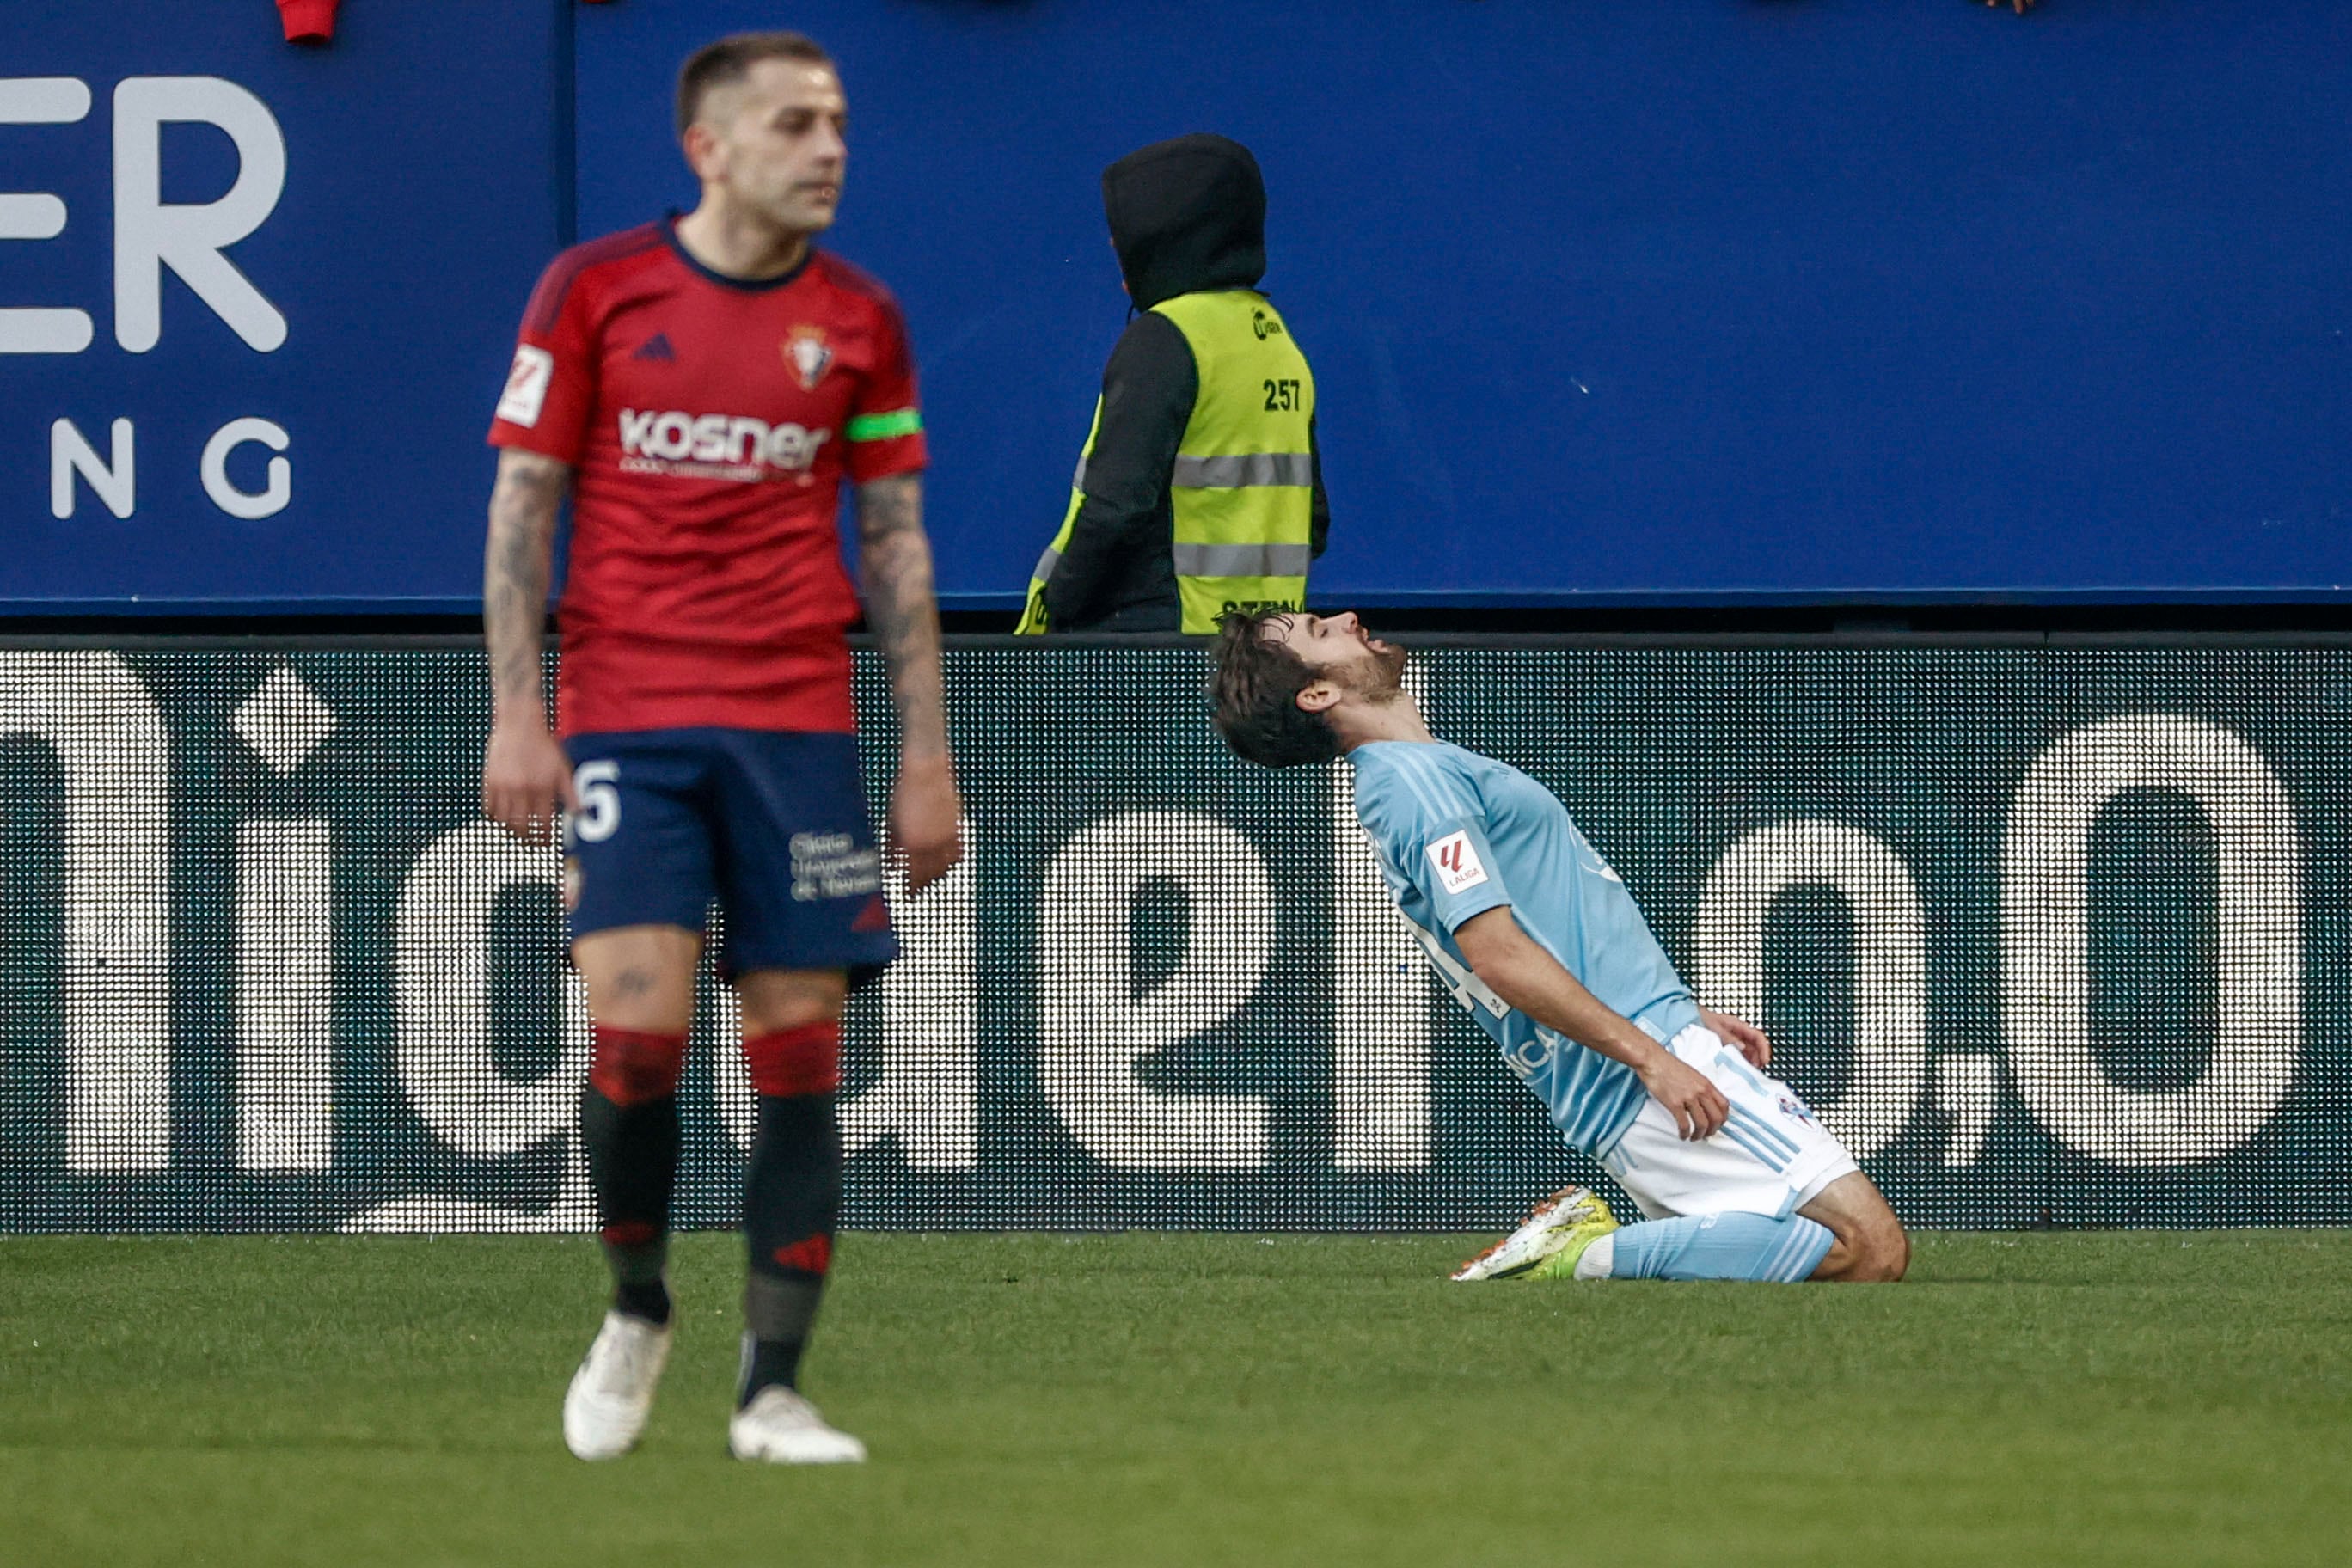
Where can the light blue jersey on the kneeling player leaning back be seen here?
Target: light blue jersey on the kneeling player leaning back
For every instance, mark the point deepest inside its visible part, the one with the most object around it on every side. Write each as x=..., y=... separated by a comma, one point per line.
x=1459, y=836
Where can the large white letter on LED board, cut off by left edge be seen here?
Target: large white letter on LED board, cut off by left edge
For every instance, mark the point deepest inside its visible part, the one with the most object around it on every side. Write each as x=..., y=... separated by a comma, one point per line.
x=116, y=758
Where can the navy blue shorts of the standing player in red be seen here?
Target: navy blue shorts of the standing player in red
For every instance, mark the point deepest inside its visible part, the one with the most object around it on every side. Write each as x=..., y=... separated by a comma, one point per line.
x=766, y=824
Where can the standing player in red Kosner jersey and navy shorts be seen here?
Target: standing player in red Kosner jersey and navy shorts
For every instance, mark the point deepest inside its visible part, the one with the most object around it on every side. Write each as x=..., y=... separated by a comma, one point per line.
x=704, y=387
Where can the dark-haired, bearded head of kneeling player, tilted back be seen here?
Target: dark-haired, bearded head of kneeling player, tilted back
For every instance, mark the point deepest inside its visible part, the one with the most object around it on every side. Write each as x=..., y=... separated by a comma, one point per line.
x=1285, y=683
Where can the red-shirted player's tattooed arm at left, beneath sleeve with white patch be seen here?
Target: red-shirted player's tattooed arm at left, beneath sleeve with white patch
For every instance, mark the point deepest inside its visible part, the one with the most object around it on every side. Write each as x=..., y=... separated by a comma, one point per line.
x=526, y=777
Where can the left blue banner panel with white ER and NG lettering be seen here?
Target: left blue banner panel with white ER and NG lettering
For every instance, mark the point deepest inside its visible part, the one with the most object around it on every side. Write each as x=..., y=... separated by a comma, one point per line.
x=258, y=300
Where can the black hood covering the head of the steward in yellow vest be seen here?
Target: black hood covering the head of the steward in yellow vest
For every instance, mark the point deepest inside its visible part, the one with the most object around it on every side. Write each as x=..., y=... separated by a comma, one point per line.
x=1187, y=215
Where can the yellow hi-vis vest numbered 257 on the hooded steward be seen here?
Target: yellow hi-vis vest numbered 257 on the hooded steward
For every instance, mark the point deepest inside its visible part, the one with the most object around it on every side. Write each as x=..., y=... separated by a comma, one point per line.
x=1243, y=488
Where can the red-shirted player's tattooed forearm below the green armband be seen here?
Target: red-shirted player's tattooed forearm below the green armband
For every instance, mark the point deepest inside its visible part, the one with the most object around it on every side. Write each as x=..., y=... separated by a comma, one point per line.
x=895, y=563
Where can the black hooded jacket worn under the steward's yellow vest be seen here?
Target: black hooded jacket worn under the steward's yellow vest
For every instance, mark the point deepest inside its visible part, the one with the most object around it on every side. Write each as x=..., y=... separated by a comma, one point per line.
x=1187, y=217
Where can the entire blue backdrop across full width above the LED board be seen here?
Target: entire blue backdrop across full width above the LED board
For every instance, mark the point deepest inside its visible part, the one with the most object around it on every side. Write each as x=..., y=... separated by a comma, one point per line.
x=1688, y=302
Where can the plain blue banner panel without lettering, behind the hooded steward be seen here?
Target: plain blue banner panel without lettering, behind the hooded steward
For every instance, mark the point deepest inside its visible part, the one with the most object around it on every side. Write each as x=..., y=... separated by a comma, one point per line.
x=1690, y=300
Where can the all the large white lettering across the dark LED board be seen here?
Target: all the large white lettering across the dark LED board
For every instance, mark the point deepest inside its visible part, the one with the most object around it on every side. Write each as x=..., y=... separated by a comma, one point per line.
x=279, y=937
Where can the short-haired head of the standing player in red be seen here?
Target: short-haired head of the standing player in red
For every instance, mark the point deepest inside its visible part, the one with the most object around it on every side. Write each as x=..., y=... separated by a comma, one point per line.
x=763, y=121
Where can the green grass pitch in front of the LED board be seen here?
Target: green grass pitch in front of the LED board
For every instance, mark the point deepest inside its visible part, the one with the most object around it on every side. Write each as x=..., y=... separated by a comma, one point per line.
x=1191, y=1400
